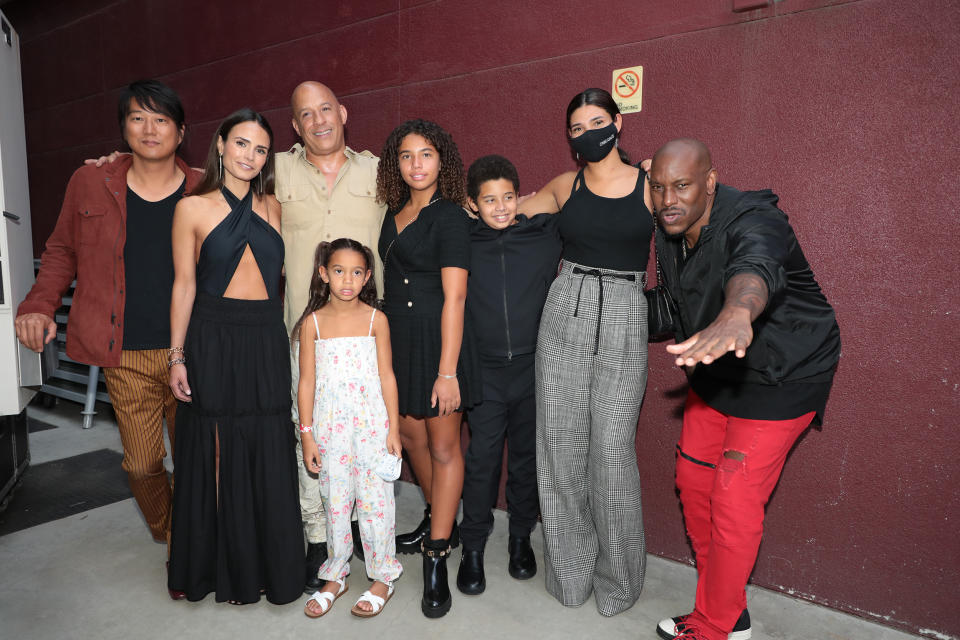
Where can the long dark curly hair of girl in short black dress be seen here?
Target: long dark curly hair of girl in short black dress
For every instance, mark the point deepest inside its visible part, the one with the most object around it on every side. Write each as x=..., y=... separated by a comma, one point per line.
x=392, y=190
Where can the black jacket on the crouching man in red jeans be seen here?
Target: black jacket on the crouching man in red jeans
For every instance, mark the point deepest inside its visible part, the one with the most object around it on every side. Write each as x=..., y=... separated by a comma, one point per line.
x=795, y=340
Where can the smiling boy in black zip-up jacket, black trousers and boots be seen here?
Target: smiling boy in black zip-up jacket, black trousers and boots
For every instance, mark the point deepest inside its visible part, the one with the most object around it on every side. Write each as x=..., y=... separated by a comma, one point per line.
x=513, y=261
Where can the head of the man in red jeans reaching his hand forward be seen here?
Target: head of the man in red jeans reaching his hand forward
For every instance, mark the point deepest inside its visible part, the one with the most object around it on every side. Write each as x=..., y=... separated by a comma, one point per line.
x=682, y=186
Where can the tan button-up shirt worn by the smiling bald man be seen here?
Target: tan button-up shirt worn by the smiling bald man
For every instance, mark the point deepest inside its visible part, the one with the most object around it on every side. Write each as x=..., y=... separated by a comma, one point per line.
x=311, y=215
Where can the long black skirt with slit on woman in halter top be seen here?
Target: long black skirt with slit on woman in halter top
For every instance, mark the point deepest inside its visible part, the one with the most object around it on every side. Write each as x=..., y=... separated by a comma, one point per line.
x=246, y=538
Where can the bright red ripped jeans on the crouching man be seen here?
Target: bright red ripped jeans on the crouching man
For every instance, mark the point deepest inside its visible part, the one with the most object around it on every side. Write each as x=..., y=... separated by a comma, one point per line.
x=723, y=501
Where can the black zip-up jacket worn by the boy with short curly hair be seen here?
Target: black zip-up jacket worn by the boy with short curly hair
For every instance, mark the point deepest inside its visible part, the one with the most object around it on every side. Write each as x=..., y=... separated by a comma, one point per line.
x=510, y=273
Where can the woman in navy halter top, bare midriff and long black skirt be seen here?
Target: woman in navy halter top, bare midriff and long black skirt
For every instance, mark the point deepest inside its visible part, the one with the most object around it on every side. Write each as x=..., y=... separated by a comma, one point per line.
x=236, y=517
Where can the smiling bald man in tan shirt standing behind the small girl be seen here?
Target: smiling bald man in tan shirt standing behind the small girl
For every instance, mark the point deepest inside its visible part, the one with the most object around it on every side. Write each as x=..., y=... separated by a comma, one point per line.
x=326, y=191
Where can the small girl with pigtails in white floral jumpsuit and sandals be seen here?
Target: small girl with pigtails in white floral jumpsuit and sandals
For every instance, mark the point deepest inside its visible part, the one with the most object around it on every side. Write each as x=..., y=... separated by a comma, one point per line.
x=348, y=387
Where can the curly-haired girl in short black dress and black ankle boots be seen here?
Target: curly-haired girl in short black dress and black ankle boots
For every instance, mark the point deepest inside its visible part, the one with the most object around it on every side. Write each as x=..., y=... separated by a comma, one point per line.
x=425, y=246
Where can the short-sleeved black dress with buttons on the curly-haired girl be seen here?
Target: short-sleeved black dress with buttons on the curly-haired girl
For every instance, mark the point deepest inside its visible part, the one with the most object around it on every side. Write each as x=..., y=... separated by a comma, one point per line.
x=413, y=301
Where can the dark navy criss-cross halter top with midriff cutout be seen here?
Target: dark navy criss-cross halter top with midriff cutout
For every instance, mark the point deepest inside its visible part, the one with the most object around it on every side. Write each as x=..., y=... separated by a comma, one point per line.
x=224, y=246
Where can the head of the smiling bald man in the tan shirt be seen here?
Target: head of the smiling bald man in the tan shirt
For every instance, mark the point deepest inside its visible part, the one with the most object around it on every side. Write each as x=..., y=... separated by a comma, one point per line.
x=319, y=119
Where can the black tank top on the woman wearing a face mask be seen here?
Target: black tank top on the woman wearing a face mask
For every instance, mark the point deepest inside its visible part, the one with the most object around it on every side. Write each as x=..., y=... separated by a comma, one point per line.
x=606, y=233
